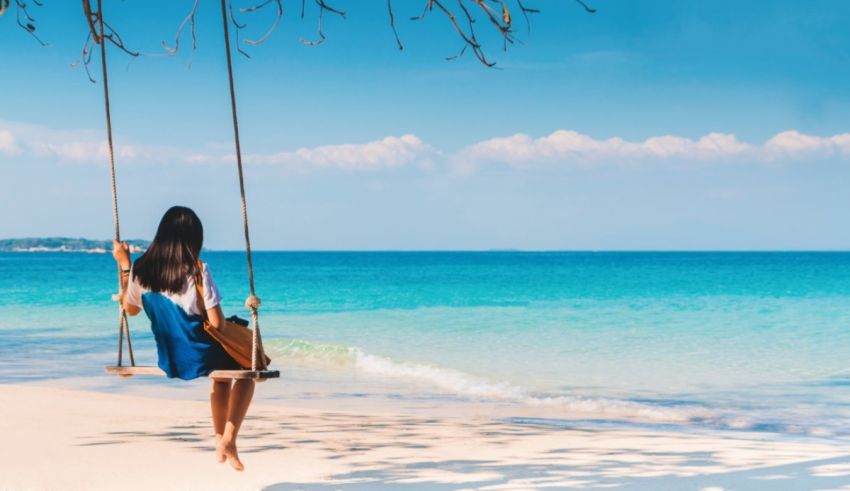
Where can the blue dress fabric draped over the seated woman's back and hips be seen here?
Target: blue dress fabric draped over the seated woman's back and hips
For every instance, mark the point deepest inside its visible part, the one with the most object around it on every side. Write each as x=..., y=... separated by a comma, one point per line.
x=184, y=348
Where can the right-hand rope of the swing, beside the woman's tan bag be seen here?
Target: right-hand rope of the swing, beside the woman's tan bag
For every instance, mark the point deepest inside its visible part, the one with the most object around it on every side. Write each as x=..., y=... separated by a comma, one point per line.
x=252, y=302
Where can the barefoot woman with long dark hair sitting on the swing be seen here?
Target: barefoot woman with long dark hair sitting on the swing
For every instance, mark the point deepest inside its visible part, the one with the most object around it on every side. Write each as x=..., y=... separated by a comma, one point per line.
x=162, y=282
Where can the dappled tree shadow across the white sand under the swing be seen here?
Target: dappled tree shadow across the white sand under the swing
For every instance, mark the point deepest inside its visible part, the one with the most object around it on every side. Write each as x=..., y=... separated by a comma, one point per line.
x=404, y=453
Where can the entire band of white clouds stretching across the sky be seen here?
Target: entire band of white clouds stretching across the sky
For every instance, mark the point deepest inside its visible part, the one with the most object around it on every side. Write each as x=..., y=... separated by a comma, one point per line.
x=561, y=147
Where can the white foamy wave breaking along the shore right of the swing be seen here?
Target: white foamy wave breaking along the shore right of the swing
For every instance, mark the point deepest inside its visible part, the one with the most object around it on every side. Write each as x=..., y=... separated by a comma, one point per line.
x=424, y=378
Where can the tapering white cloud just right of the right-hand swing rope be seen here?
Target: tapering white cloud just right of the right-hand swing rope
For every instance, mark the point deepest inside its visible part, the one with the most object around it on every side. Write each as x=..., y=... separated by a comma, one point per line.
x=389, y=152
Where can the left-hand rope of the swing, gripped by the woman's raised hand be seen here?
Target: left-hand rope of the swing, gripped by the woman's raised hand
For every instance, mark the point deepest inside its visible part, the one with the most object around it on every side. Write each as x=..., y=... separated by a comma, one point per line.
x=123, y=324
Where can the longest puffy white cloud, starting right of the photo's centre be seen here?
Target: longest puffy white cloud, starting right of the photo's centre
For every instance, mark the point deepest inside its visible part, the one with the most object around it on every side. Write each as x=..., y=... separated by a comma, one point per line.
x=565, y=144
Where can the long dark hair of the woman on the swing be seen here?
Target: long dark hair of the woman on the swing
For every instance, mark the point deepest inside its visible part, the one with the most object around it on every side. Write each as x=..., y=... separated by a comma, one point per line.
x=173, y=254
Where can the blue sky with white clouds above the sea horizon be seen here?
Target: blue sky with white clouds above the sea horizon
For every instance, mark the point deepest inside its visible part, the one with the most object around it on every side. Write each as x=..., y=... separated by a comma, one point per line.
x=648, y=125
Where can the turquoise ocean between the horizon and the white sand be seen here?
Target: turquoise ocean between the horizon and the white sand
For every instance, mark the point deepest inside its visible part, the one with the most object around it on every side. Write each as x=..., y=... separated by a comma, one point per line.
x=698, y=341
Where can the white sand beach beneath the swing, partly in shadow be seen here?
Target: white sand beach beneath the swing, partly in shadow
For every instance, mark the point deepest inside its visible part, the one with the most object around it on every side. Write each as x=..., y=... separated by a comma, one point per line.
x=64, y=439
